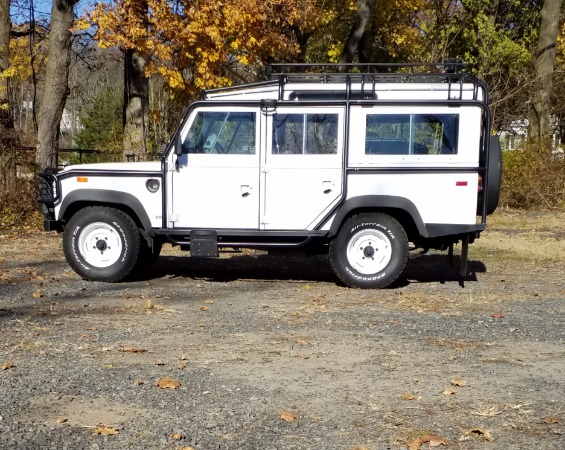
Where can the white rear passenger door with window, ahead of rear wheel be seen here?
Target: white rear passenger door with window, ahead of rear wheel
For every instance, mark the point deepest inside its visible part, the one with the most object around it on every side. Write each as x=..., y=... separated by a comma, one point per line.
x=301, y=167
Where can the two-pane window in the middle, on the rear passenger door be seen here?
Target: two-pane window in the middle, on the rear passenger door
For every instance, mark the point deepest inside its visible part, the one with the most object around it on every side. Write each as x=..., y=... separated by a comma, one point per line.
x=305, y=134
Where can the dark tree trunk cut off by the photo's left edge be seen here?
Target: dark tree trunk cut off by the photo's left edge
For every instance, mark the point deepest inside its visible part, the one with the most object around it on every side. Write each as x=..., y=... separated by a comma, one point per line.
x=8, y=138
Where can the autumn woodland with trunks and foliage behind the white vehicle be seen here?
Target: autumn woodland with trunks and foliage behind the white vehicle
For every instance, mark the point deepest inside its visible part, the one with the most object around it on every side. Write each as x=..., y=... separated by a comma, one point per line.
x=116, y=76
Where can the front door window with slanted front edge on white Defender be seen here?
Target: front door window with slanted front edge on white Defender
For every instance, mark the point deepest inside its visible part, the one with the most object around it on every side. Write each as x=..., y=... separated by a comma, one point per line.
x=221, y=132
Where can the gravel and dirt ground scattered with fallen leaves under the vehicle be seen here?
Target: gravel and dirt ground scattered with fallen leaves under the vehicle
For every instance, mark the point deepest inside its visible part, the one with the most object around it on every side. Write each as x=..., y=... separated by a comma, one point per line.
x=270, y=351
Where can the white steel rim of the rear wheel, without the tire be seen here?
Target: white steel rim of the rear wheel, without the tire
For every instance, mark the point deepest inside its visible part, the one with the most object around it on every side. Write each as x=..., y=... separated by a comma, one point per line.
x=369, y=251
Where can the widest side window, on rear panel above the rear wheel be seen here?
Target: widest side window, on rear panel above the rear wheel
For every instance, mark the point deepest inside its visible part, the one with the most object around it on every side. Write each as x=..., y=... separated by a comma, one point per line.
x=411, y=134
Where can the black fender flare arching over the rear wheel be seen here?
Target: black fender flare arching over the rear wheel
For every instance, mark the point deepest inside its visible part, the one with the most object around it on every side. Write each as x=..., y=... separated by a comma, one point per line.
x=375, y=202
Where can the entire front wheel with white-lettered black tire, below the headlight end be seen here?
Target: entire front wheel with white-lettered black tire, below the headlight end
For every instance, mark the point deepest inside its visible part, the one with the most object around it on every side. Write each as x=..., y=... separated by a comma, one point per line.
x=101, y=244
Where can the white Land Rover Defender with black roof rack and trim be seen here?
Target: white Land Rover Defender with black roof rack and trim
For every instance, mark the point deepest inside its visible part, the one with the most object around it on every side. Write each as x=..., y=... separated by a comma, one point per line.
x=358, y=165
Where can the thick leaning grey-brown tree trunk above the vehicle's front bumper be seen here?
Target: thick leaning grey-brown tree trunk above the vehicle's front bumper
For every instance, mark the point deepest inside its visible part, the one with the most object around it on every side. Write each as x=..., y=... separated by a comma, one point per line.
x=56, y=88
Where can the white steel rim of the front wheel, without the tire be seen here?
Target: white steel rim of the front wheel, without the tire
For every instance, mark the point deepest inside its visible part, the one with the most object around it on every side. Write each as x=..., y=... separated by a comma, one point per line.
x=100, y=244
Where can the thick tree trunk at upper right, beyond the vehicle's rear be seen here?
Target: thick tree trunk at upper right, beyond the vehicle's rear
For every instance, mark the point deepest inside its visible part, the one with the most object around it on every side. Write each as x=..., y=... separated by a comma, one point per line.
x=545, y=59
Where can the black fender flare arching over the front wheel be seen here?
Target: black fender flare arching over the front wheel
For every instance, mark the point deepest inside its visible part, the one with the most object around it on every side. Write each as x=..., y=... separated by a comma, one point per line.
x=102, y=196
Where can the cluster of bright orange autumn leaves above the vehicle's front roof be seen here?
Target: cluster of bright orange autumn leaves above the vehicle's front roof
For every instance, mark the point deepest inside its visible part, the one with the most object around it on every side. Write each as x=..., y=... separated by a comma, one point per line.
x=193, y=45
